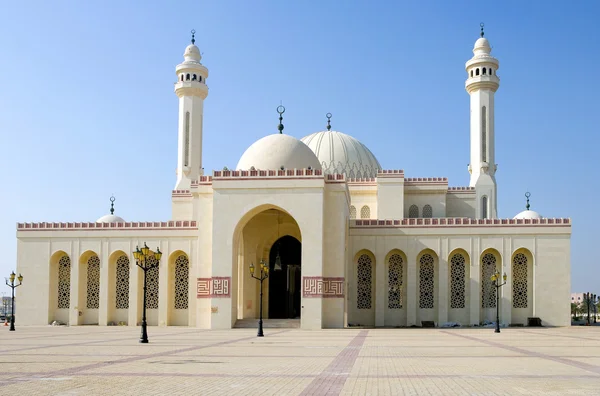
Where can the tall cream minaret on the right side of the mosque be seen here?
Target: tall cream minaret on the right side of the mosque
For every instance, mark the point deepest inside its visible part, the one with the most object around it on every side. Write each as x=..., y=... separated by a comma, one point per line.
x=482, y=82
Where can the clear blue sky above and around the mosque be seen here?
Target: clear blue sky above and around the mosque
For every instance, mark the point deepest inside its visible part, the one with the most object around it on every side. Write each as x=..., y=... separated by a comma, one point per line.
x=87, y=107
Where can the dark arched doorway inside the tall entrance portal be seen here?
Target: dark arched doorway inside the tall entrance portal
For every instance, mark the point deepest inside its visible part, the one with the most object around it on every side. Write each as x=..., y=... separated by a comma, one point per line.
x=284, y=283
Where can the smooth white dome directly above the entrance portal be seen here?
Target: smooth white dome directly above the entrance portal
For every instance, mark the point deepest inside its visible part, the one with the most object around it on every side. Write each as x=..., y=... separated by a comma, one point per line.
x=277, y=150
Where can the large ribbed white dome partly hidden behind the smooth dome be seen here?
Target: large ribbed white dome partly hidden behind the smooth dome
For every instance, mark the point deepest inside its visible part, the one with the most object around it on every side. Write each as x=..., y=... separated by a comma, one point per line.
x=341, y=153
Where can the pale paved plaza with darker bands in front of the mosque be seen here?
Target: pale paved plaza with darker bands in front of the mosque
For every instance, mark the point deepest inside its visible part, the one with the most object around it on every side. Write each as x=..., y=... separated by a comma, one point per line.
x=109, y=361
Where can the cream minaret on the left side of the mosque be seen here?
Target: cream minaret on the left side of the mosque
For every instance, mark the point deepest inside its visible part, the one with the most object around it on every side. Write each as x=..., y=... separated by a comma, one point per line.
x=191, y=90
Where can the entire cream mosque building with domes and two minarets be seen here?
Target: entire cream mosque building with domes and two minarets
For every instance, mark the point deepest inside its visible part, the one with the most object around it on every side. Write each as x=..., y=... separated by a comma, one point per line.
x=347, y=243
